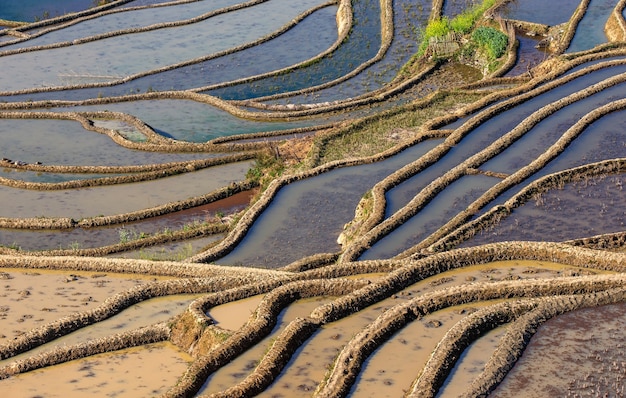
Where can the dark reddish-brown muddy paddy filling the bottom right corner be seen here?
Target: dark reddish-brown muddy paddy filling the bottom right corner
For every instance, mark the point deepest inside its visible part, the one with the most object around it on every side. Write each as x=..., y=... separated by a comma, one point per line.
x=578, y=354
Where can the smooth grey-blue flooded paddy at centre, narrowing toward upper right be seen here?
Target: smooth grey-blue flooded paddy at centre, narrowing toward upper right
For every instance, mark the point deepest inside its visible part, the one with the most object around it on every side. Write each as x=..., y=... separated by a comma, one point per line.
x=307, y=216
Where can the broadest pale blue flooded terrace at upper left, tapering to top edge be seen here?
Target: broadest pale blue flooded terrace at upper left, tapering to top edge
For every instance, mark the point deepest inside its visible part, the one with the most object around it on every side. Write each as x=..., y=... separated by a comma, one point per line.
x=120, y=56
